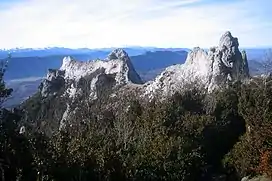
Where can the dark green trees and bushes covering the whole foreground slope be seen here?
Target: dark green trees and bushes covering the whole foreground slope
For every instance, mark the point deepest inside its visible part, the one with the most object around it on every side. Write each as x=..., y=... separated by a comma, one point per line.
x=191, y=136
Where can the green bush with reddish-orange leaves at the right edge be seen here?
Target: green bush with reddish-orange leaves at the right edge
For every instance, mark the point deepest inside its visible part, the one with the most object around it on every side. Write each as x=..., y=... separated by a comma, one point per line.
x=256, y=108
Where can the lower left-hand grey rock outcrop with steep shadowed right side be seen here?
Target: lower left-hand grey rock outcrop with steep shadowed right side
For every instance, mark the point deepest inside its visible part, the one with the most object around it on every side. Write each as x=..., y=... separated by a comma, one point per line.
x=76, y=75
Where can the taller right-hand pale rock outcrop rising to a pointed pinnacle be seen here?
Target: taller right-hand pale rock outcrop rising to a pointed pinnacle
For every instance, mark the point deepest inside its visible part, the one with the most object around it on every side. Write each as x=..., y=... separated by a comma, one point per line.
x=208, y=70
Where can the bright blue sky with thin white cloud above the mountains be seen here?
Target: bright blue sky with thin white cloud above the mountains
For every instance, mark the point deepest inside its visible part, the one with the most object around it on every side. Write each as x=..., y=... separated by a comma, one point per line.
x=122, y=23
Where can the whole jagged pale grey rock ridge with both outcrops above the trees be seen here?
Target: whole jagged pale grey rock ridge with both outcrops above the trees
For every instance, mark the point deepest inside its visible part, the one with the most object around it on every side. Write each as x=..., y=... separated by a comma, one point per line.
x=77, y=82
